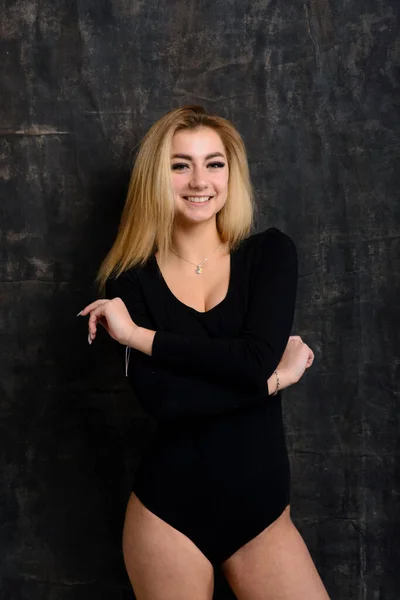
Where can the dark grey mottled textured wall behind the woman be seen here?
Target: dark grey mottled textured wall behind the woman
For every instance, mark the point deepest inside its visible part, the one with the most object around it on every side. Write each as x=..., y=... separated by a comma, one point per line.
x=313, y=88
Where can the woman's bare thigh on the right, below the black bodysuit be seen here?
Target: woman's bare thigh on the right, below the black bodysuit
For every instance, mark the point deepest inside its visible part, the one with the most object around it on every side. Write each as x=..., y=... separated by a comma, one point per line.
x=275, y=565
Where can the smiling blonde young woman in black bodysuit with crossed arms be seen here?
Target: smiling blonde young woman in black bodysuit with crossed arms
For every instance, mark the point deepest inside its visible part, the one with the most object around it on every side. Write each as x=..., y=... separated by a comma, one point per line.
x=205, y=311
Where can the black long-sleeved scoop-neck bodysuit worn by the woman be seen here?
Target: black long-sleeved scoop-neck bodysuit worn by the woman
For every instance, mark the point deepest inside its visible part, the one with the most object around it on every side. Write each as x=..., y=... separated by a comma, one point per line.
x=218, y=469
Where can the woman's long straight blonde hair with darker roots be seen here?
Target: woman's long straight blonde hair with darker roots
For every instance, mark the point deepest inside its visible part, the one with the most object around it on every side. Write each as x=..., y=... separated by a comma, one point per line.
x=146, y=223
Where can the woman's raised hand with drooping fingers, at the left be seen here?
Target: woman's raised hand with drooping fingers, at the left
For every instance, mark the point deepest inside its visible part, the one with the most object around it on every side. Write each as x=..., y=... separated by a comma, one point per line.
x=113, y=316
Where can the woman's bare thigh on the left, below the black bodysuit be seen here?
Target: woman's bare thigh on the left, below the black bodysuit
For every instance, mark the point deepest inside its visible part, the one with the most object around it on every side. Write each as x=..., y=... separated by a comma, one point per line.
x=163, y=563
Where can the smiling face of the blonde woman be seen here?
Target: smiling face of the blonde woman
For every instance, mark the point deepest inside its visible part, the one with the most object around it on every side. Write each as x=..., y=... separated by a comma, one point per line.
x=199, y=172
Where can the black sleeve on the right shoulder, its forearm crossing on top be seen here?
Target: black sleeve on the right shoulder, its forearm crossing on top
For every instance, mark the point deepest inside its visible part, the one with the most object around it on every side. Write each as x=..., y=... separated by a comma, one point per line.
x=251, y=358
